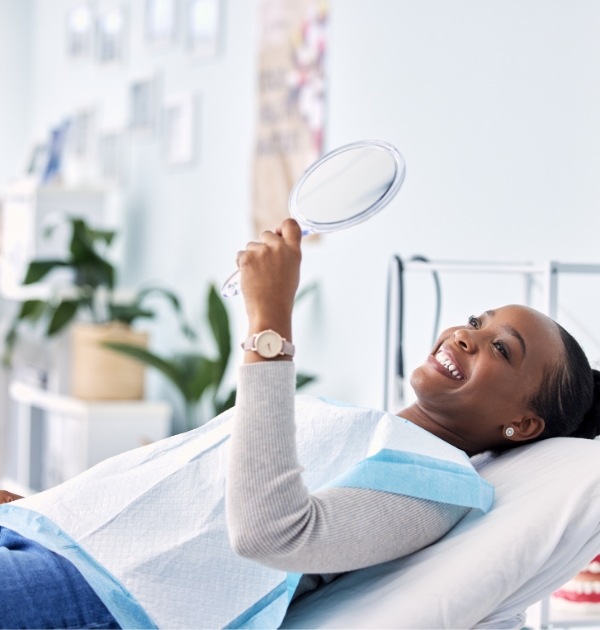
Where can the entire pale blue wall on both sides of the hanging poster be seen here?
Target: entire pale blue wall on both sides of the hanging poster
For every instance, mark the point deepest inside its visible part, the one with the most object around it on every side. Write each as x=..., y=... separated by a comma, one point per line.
x=495, y=106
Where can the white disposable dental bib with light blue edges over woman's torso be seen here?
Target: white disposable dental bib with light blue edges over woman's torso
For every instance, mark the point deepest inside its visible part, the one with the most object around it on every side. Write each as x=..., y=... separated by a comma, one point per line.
x=147, y=528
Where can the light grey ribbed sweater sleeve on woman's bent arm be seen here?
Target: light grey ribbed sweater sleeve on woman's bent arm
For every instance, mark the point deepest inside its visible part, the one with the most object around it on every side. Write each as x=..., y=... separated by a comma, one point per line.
x=274, y=520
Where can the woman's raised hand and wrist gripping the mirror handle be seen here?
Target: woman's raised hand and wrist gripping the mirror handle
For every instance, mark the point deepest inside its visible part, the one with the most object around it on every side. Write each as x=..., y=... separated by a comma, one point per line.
x=270, y=273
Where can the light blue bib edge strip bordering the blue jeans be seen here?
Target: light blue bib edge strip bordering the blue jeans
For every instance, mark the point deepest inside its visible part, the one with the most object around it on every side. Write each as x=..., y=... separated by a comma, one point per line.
x=119, y=601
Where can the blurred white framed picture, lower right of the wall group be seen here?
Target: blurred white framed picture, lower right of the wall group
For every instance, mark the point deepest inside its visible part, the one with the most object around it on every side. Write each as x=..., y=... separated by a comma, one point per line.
x=178, y=129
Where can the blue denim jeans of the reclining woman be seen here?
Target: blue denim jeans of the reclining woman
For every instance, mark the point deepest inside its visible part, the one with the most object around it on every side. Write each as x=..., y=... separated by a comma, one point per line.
x=40, y=589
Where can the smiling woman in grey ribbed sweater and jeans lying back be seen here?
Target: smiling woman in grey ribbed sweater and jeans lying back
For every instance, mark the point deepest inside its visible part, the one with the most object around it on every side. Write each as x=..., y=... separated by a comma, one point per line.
x=509, y=377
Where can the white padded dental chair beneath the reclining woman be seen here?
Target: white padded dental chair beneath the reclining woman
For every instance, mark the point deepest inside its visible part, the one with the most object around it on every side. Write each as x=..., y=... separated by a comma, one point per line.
x=543, y=529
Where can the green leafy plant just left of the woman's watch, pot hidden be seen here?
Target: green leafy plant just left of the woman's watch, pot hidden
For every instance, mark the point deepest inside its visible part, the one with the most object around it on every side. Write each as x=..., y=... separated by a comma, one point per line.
x=196, y=375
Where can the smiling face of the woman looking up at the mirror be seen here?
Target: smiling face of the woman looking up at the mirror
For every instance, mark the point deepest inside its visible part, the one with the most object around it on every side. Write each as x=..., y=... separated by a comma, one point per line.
x=497, y=362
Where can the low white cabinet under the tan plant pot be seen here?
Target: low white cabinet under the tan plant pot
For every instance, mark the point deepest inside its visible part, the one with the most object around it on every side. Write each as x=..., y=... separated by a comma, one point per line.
x=71, y=435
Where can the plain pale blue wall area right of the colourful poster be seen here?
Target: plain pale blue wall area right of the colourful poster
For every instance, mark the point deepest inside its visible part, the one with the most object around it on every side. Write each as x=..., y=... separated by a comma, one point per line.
x=495, y=108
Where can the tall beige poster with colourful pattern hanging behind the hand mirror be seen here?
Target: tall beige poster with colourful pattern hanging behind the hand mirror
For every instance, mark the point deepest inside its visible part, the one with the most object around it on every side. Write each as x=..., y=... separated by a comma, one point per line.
x=291, y=102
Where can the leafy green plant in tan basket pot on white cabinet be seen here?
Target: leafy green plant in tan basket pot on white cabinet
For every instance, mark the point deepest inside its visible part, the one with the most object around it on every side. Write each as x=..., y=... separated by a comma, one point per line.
x=97, y=373
